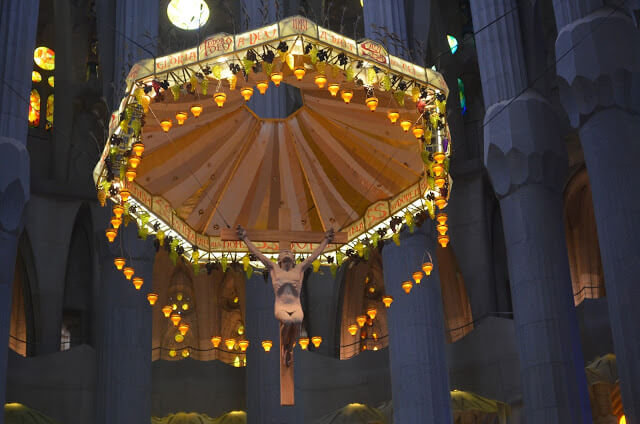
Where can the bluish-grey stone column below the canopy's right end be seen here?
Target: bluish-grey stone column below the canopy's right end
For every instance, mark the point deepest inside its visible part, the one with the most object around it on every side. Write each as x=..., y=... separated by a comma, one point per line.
x=419, y=372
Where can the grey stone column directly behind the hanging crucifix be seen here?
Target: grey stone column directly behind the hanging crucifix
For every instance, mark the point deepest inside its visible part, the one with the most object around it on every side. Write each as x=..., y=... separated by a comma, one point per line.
x=263, y=368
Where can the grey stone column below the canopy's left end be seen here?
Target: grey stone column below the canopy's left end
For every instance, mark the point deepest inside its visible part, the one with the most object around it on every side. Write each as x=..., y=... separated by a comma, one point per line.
x=123, y=337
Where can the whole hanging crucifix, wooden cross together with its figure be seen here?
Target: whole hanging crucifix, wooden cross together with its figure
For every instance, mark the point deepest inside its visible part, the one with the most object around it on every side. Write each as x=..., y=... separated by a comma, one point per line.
x=287, y=279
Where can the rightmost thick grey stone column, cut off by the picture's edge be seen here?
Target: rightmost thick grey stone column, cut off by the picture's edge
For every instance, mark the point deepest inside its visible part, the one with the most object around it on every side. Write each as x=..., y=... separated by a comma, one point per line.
x=598, y=50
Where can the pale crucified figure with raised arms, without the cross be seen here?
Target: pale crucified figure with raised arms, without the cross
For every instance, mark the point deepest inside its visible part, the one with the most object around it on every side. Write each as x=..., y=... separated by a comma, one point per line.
x=286, y=278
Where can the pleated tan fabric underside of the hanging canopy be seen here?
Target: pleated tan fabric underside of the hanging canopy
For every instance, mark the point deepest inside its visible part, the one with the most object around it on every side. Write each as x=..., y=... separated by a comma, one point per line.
x=328, y=162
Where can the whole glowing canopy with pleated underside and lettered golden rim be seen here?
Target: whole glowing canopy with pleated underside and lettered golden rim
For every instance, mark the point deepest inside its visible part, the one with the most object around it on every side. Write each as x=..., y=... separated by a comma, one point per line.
x=336, y=164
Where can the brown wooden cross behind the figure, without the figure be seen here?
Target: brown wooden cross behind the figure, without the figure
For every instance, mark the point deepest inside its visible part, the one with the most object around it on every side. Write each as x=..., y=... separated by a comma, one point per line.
x=284, y=236
